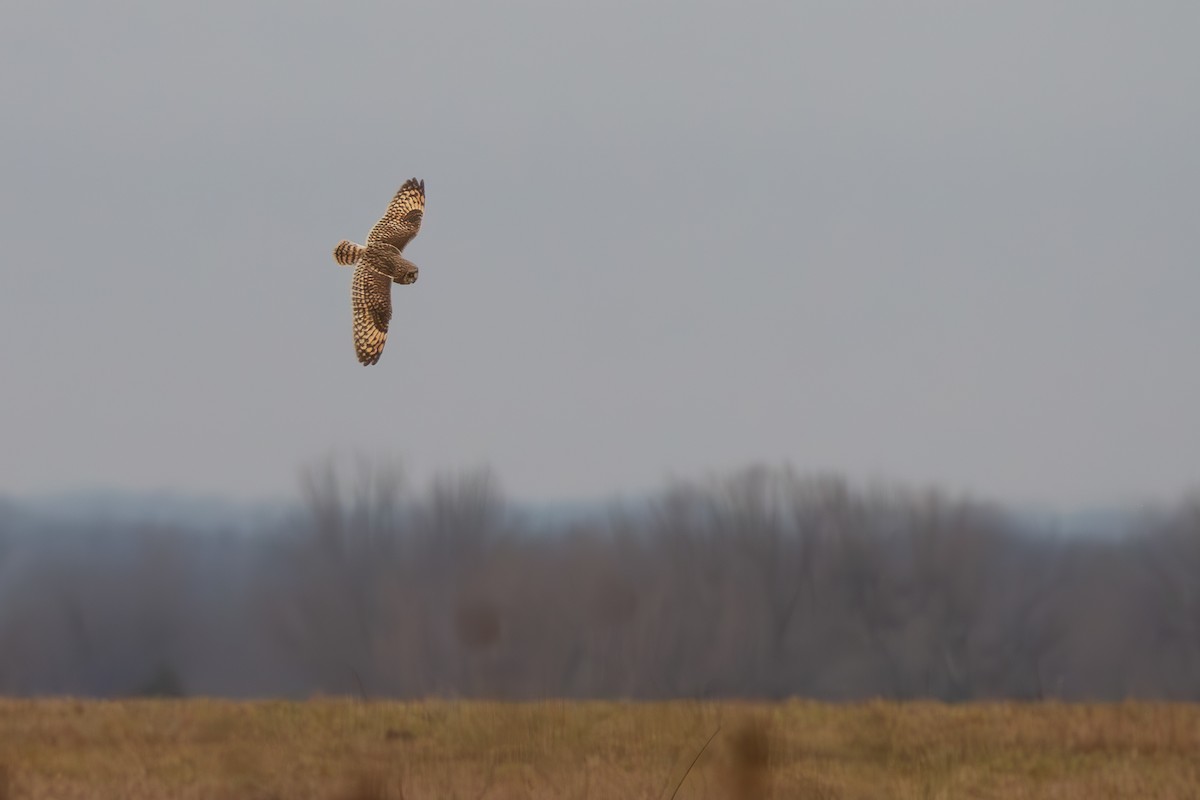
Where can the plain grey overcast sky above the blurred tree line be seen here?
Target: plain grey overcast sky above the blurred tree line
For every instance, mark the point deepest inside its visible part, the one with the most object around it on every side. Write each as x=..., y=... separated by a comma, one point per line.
x=931, y=243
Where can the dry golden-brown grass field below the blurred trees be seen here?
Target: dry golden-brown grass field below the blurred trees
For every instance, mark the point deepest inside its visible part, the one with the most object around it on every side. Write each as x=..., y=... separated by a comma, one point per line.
x=369, y=751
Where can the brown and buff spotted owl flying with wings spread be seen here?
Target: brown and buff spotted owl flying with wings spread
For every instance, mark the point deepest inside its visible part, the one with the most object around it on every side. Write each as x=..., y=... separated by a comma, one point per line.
x=379, y=264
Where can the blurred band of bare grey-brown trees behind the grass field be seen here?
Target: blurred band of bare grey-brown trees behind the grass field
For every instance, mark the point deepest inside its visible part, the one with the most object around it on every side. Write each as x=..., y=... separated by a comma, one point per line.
x=759, y=585
